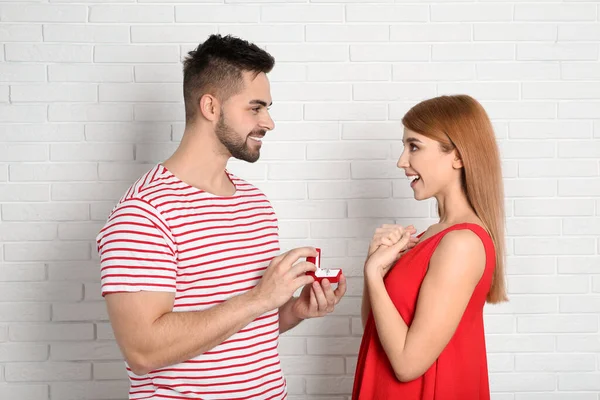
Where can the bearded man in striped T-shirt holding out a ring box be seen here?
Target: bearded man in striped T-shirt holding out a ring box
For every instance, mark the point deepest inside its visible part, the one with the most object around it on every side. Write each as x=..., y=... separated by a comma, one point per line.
x=196, y=291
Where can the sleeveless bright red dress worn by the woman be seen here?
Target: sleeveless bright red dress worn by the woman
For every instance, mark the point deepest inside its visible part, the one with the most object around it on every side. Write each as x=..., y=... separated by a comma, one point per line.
x=460, y=372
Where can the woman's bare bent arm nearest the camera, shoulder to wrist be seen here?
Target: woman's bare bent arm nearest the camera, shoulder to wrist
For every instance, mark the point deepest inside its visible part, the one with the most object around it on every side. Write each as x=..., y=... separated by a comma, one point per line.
x=455, y=268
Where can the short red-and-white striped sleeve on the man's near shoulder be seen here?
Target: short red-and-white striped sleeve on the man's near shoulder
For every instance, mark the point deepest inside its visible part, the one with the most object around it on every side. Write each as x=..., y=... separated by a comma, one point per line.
x=137, y=250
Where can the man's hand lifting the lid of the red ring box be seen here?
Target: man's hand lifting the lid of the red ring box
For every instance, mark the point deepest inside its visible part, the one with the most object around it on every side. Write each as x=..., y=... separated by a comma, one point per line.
x=284, y=276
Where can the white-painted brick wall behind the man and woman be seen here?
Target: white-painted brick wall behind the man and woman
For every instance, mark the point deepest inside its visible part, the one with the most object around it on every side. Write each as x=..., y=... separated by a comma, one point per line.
x=90, y=98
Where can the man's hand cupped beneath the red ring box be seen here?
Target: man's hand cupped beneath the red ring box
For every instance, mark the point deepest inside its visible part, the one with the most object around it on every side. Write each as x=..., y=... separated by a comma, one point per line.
x=318, y=299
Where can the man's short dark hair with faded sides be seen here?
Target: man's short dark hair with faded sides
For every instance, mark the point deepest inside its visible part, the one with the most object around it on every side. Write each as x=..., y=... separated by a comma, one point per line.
x=216, y=67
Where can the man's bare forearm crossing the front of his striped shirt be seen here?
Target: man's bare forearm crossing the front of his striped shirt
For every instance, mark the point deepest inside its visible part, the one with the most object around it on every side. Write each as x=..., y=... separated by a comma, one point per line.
x=179, y=336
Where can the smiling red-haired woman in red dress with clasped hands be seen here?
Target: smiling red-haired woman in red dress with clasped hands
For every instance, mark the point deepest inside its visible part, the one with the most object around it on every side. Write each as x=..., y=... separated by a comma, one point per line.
x=423, y=319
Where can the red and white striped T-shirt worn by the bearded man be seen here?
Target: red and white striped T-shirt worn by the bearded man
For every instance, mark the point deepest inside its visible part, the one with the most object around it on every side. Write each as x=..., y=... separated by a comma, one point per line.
x=165, y=235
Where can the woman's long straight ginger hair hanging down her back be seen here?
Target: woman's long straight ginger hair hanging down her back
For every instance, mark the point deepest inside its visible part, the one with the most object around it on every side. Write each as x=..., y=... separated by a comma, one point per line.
x=460, y=122
